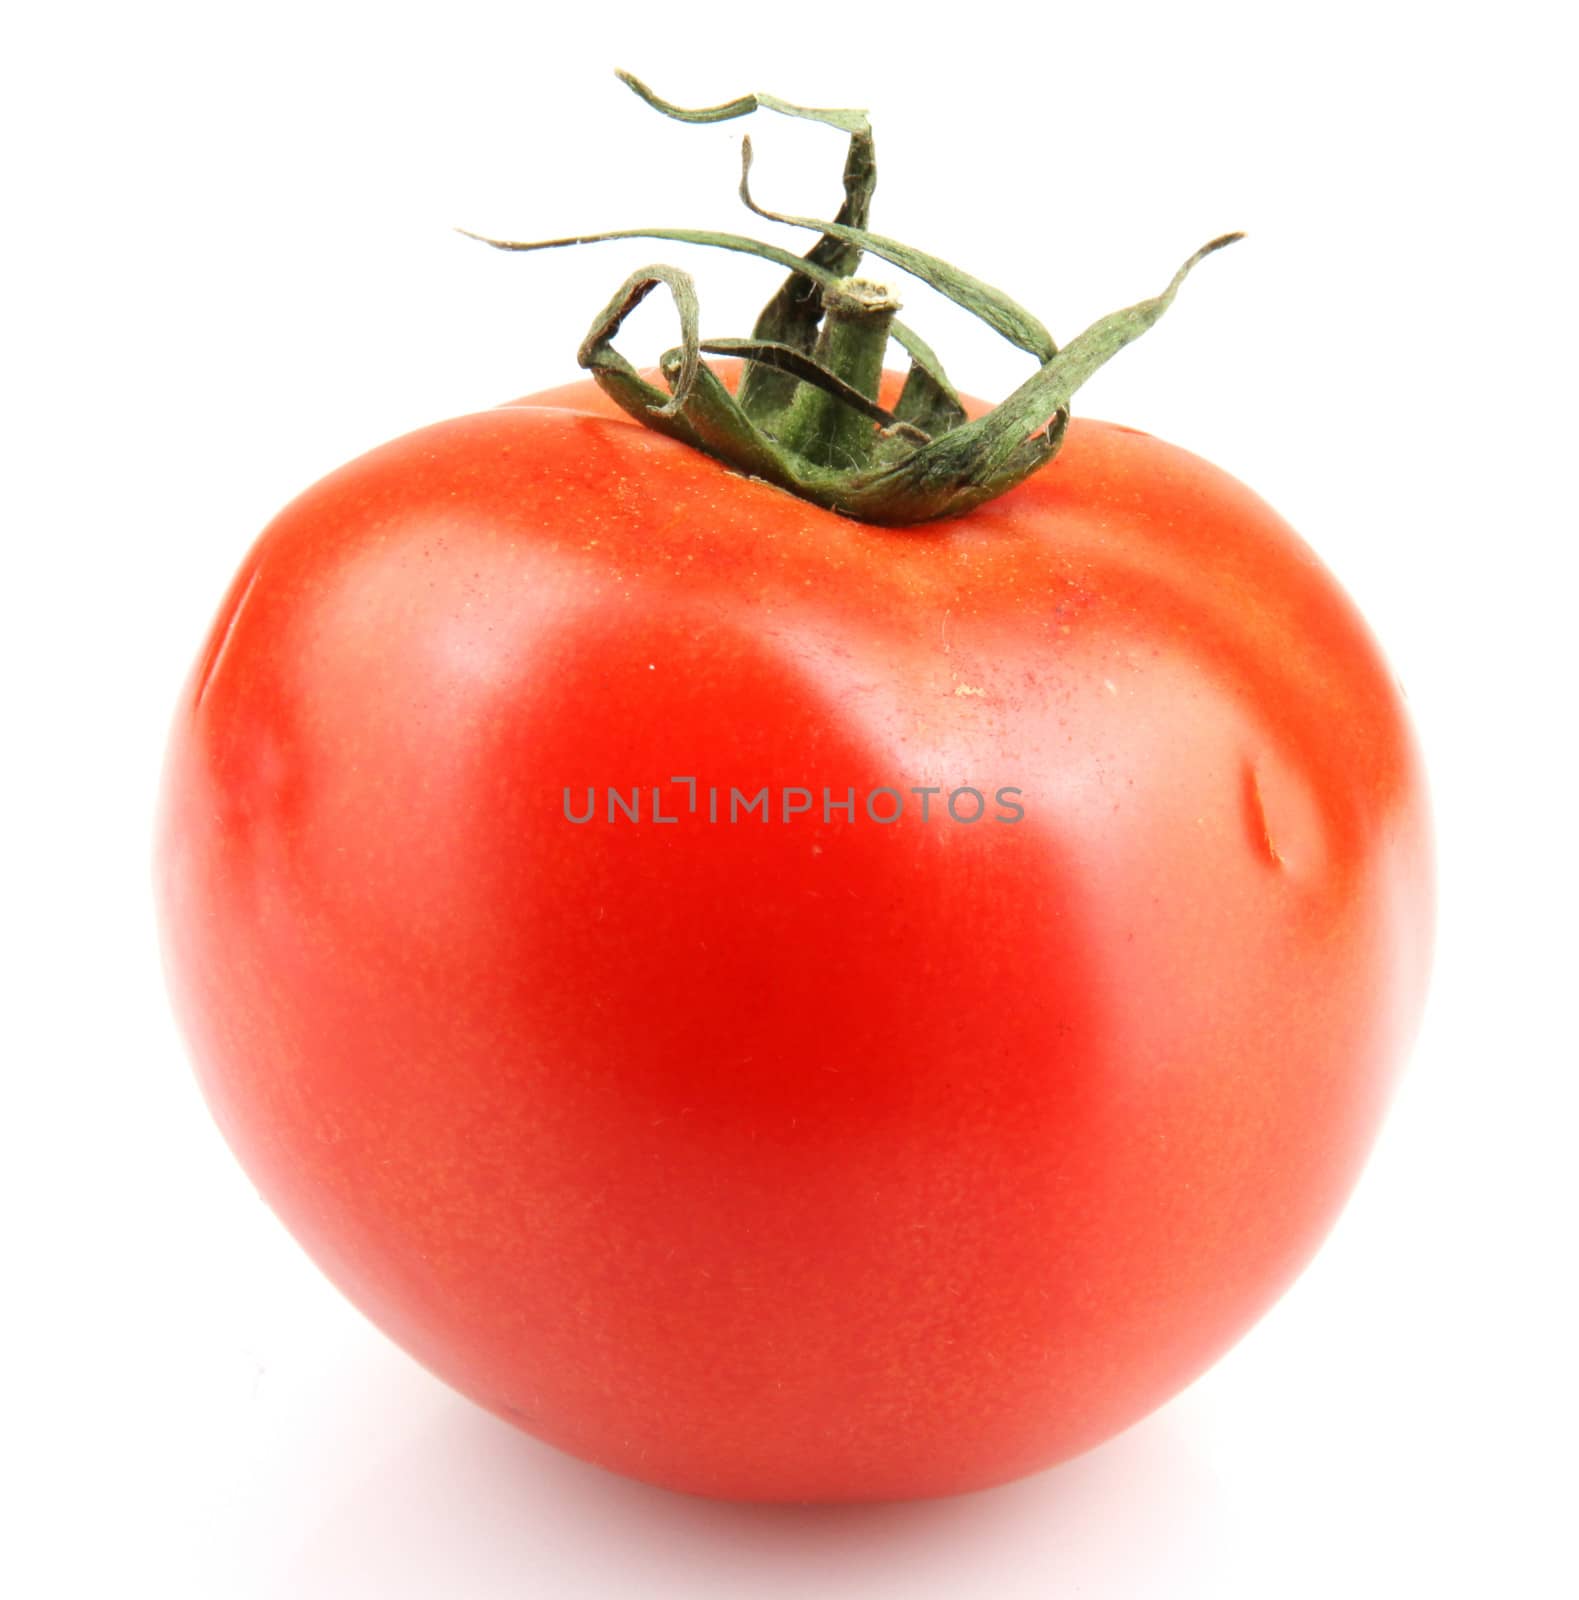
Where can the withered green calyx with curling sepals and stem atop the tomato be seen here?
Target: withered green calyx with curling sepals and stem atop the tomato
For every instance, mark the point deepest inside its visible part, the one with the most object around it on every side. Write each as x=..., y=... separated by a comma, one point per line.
x=805, y=414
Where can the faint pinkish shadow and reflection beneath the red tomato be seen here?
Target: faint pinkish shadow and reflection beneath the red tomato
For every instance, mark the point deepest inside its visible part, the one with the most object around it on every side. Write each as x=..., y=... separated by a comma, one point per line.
x=468, y=1506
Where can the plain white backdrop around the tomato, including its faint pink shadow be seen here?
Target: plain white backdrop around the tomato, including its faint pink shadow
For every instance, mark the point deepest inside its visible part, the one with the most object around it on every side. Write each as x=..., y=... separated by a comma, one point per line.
x=230, y=268
